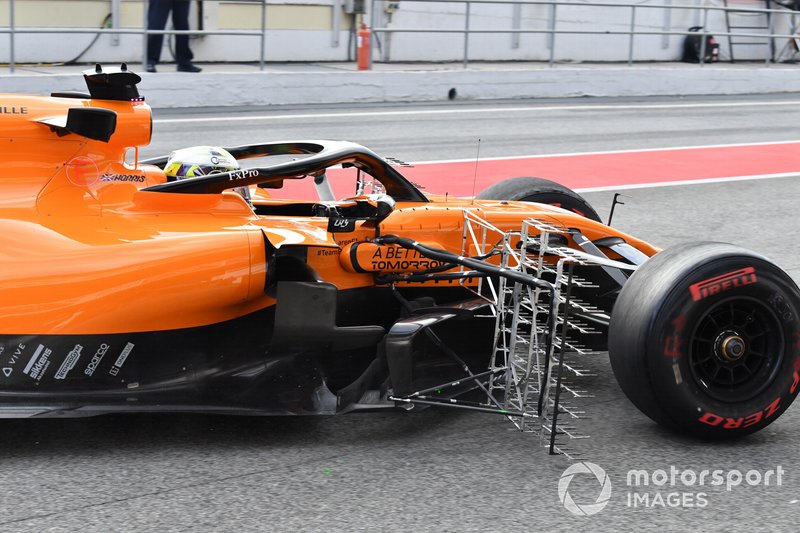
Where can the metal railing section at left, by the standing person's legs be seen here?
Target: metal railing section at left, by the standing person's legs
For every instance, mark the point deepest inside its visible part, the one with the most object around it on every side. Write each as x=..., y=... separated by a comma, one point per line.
x=144, y=31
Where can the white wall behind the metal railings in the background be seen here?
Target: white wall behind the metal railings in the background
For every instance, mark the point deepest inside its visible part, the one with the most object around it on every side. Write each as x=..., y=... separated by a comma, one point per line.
x=301, y=30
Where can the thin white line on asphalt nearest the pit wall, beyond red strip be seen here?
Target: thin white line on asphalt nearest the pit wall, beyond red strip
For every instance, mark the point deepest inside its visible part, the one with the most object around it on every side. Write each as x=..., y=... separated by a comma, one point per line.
x=472, y=110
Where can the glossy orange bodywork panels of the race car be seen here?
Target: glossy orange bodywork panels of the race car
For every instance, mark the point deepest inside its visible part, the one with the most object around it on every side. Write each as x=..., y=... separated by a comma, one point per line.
x=83, y=250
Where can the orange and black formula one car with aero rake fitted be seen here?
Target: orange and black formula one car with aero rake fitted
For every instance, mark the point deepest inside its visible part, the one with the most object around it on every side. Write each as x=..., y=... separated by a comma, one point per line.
x=125, y=291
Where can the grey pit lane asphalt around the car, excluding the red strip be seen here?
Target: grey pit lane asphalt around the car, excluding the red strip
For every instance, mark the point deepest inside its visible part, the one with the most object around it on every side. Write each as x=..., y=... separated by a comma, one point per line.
x=432, y=470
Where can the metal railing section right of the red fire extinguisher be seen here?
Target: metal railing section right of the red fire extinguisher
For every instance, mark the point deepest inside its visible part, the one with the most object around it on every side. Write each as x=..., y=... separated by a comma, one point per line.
x=552, y=30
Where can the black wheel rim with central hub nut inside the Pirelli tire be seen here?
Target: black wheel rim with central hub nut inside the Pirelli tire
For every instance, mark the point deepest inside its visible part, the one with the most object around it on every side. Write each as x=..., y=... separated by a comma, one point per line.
x=736, y=349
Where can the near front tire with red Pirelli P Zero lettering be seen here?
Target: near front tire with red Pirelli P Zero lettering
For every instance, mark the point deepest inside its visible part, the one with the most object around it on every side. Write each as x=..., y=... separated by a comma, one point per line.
x=705, y=340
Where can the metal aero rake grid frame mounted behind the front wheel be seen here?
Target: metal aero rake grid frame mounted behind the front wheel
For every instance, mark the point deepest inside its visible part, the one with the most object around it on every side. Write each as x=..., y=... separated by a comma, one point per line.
x=530, y=295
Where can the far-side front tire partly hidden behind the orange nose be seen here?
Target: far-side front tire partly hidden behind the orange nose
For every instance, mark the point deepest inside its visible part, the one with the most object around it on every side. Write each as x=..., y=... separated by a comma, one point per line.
x=542, y=191
